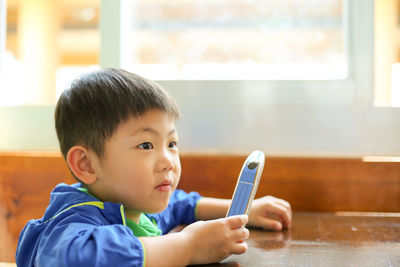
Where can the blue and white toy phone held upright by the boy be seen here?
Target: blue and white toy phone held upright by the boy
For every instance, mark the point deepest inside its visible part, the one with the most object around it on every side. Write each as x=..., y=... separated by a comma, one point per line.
x=247, y=183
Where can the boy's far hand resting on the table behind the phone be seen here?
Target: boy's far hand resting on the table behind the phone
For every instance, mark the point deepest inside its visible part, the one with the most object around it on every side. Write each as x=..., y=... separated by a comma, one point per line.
x=270, y=213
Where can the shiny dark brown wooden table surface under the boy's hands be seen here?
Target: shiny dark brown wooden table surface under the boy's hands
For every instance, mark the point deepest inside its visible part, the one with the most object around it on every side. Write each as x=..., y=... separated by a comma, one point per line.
x=326, y=239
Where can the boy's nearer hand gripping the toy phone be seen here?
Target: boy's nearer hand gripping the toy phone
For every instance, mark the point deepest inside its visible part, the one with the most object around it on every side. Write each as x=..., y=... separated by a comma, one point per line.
x=213, y=241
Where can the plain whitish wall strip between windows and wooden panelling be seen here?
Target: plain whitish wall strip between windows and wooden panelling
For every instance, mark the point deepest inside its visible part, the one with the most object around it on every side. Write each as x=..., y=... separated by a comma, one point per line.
x=210, y=127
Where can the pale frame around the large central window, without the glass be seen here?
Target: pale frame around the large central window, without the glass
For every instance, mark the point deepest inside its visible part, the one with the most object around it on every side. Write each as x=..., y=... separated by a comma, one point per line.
x=285, y=92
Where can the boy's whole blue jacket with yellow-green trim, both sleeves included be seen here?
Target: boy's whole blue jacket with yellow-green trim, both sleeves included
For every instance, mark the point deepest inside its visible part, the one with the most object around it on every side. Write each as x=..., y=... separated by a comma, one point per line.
x=79, y=230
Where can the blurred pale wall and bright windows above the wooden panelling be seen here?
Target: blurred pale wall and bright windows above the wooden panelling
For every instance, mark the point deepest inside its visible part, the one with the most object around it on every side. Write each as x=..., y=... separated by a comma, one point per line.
x=293, y=77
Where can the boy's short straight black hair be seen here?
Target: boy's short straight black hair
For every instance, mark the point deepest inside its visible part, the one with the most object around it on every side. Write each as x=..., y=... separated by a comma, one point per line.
x=90, y=110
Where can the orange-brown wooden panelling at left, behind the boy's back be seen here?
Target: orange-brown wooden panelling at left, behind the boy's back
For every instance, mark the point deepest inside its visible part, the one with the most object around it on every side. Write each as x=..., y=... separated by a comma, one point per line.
x=25, y=182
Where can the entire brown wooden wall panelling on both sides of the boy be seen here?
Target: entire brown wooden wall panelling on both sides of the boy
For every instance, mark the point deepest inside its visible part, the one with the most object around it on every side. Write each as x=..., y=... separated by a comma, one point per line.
x=309, y=184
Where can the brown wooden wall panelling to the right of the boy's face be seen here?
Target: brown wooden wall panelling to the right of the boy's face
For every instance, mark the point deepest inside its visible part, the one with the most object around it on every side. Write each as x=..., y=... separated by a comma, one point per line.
x=309, y=184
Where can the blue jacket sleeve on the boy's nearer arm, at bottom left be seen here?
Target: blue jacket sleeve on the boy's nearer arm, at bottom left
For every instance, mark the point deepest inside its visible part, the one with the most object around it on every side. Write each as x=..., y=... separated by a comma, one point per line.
x=88, y=244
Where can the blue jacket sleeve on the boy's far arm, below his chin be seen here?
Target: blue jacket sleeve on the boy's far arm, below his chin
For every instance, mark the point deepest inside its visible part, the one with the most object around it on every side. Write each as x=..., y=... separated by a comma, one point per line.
x=181, y=210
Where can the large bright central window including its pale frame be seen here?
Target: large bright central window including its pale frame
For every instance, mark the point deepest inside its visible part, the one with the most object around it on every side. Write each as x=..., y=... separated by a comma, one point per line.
x=332, y=77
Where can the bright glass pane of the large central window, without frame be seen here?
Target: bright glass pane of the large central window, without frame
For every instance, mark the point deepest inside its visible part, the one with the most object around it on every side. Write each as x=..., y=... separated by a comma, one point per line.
x=237, y=39
